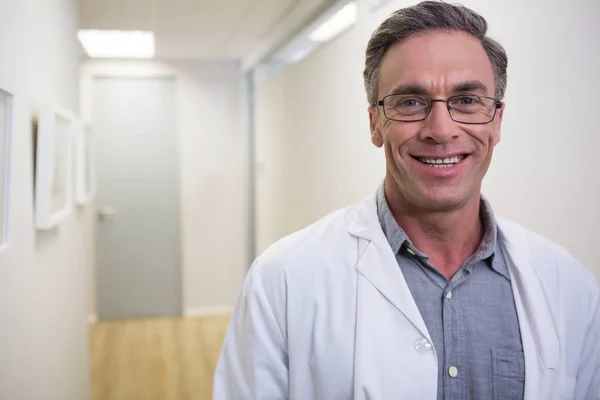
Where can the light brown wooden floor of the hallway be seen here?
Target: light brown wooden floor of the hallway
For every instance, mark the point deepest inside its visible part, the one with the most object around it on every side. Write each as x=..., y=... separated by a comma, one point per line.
x=156, y=359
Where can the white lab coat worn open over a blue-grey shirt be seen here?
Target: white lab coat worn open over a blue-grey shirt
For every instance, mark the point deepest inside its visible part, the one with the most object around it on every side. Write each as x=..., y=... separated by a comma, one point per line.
x=326, y=314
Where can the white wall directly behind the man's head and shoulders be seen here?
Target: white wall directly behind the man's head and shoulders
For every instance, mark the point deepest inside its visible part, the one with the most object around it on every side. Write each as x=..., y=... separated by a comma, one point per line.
x=315, y=154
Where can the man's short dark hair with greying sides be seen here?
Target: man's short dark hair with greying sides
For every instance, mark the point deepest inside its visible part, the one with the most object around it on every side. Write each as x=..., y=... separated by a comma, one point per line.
x=430, y=15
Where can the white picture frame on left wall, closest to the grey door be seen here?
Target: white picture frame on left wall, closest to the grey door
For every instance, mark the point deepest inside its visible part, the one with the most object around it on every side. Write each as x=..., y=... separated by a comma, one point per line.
x=85, y=173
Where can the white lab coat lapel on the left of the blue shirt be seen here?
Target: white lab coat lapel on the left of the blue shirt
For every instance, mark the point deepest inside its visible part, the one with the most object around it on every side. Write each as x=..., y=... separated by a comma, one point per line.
x=377, y=263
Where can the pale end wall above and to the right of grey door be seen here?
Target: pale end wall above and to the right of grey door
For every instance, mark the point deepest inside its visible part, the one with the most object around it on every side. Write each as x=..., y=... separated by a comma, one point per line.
x=212, y=137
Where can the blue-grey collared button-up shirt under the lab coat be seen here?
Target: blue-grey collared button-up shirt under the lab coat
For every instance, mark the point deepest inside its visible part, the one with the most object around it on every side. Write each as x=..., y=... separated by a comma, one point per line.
x=471, y=318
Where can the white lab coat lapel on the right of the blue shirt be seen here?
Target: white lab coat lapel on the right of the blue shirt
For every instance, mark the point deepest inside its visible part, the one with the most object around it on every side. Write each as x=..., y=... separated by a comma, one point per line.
x=538, y=333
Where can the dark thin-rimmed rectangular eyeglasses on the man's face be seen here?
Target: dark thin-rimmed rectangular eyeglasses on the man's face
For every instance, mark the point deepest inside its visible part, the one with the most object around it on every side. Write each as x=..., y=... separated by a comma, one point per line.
x=464, y=109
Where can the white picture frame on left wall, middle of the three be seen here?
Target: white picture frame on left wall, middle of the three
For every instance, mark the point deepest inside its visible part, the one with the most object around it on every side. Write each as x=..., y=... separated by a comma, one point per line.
x=53, y=167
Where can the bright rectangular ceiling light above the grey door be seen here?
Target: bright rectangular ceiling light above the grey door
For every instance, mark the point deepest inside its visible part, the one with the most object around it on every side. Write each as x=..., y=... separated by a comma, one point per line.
x=117, y=44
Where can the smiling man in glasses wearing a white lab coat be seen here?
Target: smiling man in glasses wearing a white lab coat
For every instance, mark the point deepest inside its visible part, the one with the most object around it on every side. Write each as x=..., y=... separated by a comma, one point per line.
x=419, y=292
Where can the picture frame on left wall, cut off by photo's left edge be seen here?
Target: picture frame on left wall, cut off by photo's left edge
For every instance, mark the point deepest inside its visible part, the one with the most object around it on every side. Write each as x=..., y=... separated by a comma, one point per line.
x=6, y=107
